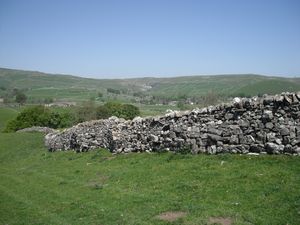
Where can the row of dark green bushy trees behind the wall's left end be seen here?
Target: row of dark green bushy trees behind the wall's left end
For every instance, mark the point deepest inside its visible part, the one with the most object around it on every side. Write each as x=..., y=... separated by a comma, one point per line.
x=45, y=117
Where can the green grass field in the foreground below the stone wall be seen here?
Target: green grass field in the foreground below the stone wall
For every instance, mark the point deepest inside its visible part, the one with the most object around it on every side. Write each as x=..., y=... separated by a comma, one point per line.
x=38, y=187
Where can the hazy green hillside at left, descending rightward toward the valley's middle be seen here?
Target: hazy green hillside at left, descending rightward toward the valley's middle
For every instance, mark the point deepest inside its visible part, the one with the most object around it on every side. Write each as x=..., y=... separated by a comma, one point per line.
x=64, y=87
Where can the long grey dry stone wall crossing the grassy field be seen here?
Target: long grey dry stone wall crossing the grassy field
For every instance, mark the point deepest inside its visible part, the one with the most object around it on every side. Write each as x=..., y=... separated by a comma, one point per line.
x=270, y=124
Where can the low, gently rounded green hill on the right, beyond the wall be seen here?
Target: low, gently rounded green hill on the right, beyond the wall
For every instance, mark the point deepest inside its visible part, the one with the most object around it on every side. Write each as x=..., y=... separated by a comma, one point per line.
x=224, y=85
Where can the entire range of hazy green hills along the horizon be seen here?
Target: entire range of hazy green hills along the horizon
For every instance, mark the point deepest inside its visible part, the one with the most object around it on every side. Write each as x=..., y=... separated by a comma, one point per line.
x=42, y=85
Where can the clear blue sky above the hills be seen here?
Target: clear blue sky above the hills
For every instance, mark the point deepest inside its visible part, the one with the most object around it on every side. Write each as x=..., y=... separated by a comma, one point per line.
x=110, y=39
